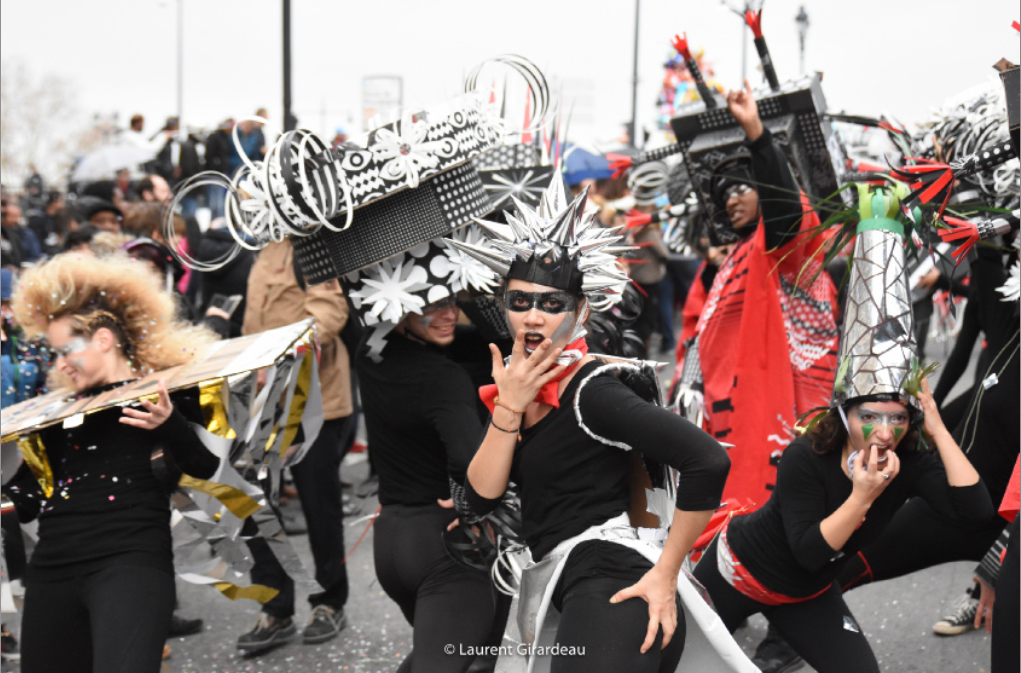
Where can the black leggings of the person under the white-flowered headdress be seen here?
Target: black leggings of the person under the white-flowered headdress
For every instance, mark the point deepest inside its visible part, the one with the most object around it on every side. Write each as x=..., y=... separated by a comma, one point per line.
x=447, y=603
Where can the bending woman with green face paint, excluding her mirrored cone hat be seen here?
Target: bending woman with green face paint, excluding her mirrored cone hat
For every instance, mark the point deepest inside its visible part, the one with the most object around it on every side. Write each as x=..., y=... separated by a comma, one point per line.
x=838, y=490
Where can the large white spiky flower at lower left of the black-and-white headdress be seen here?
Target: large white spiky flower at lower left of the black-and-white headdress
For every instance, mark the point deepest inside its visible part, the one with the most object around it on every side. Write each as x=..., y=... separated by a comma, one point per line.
x=391, y=294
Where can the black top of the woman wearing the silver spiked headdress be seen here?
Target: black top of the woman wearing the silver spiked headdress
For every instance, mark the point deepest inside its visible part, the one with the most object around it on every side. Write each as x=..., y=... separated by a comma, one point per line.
x=570, y=483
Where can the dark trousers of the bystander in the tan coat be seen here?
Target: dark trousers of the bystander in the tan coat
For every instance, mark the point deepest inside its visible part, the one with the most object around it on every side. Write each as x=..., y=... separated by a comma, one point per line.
x=317, y=478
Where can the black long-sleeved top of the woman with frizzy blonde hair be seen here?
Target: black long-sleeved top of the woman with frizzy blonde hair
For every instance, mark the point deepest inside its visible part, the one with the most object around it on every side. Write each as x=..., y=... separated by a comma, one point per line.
x=109, y=507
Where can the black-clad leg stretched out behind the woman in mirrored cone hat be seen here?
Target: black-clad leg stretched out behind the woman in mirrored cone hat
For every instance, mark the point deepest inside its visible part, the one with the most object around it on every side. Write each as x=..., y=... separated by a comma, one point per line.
x=918, y=538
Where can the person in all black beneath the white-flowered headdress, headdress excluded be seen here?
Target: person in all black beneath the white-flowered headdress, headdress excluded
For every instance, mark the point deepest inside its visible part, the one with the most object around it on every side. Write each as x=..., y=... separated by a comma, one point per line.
x=423, y=430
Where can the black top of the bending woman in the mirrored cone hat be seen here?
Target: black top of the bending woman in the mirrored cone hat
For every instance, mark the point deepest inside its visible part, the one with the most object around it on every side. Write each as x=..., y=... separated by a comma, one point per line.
x=782, y=544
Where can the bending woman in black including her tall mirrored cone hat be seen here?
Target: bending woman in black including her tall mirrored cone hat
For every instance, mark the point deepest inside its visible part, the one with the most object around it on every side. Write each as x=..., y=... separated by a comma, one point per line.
x=840, y=486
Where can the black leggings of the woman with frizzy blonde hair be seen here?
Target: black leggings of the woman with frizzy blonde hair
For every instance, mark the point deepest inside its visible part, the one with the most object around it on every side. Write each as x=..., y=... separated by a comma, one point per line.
x=115, y=620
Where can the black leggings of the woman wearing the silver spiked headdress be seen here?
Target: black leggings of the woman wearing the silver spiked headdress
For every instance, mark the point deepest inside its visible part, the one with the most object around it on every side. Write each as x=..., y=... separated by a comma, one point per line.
x=610, y=634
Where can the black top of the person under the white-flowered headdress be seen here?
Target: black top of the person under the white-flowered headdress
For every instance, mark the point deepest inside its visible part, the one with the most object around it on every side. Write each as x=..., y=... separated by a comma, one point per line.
x=421, y=418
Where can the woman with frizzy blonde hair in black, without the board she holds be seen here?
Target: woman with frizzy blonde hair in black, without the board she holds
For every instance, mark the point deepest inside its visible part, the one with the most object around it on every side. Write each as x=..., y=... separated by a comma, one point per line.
x=100, y=588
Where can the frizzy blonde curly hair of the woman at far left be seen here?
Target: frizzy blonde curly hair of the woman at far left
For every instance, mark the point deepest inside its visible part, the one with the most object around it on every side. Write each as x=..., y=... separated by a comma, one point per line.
x=119, y=294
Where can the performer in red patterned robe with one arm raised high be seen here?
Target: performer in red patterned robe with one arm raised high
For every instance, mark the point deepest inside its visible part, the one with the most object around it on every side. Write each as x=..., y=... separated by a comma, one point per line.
x=769, y=323
